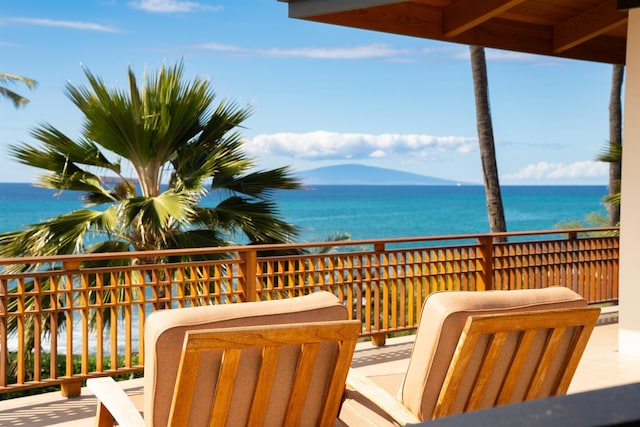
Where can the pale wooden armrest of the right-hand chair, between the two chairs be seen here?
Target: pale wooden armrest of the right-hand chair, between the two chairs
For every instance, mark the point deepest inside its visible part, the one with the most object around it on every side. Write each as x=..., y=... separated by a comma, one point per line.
x=379, y=397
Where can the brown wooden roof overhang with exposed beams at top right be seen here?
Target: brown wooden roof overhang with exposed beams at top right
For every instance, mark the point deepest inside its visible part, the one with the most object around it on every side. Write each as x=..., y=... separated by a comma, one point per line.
x=591, y=30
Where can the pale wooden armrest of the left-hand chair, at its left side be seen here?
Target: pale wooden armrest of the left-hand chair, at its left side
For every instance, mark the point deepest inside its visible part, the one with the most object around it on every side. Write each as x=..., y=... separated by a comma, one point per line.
x=112, y=398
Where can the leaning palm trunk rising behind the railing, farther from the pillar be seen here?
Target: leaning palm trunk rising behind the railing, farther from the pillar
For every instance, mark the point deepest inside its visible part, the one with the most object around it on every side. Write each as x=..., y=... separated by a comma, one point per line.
x=493, y=195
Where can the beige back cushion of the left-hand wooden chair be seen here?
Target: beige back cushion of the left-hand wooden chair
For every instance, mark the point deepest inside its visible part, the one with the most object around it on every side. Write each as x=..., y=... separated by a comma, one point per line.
x=164, y=335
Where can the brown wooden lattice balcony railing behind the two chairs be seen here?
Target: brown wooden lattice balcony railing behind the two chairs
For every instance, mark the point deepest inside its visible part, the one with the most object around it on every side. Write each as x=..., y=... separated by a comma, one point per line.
x=64, y=319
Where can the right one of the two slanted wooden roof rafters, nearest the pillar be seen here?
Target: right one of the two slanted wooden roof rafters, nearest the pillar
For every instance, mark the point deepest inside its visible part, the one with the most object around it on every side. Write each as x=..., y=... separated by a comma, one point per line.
x=588, y=25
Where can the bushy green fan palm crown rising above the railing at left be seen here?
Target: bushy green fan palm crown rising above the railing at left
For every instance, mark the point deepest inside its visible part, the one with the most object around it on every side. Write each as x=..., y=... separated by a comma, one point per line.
x=167, y=131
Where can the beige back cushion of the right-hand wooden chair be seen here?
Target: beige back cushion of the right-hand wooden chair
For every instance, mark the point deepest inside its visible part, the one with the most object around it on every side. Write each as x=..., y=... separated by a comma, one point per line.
x=443, y=317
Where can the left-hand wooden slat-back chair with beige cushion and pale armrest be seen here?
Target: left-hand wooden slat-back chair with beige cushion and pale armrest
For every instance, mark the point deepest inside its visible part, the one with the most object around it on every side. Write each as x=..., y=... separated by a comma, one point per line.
x=270, y=373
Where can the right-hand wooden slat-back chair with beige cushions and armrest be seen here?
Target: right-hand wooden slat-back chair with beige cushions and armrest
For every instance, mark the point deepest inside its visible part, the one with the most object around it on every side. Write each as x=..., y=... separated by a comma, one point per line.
x=512, y=346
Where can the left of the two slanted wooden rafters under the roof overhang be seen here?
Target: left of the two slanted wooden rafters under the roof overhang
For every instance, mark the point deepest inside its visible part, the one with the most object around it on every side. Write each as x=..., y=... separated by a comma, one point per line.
x=462, y=15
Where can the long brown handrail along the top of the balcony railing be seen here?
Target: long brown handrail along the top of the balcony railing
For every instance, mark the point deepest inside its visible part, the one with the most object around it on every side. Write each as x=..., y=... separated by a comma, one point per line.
x=275, y=247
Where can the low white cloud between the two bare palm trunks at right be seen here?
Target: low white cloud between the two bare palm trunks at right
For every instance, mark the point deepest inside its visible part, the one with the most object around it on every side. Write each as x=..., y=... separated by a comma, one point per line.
x=559, y=171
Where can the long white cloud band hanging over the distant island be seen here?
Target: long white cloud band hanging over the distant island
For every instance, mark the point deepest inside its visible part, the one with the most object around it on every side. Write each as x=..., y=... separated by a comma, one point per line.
x=323, y=145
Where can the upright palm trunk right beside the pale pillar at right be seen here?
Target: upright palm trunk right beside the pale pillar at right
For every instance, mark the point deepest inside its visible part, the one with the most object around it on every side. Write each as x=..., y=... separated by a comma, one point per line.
x=615, y=137
